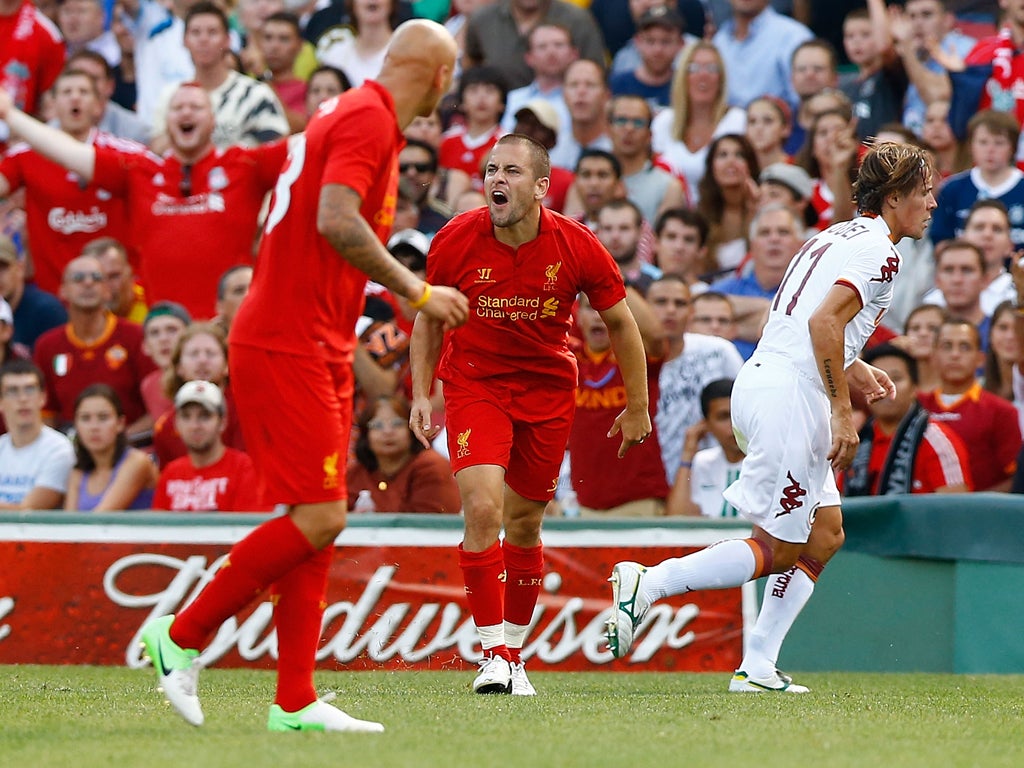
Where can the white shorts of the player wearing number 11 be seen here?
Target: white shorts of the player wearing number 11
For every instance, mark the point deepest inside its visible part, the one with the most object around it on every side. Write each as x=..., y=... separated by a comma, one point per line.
x=782, y=421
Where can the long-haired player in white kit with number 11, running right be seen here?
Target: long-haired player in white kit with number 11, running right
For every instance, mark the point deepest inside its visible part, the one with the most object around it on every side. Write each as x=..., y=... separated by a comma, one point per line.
x=793, y=418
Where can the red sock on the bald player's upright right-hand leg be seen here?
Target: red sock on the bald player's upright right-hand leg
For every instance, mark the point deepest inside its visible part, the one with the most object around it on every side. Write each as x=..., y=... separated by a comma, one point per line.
x=298, y=614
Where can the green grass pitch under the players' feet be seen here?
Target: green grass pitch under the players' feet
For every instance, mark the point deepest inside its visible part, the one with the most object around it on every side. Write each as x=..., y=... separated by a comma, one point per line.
x=109, y=718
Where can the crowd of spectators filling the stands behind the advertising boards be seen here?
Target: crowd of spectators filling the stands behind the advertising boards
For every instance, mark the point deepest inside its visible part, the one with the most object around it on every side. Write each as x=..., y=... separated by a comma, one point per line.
x=704, y=142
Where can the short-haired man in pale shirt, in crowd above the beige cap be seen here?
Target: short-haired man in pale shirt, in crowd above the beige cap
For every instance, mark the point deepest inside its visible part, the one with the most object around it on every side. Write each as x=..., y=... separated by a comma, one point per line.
x=549, y=54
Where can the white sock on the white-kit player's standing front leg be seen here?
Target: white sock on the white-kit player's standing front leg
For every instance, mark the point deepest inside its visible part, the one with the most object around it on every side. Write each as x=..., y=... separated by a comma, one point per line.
x=786, y=596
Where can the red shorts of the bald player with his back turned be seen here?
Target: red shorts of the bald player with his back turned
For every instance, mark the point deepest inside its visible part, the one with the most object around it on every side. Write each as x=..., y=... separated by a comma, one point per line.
x=296, y=416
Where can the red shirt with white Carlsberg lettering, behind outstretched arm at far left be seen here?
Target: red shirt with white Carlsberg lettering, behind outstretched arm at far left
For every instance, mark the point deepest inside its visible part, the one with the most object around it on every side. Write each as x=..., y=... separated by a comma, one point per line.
x=62, y=214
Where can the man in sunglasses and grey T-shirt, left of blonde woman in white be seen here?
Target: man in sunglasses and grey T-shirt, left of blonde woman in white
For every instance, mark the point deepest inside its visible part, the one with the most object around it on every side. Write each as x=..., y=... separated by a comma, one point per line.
x=653, y=189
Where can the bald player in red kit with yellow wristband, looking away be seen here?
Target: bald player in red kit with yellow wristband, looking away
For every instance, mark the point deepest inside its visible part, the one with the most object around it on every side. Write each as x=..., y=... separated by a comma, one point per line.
x=291, y=367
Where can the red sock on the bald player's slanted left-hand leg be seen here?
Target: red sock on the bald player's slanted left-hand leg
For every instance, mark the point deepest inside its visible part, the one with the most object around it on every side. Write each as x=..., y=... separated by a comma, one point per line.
x=252, y=566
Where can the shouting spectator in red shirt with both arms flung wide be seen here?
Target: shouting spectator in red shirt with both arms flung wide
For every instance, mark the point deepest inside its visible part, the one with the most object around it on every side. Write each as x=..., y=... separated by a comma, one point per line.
x=215, y=196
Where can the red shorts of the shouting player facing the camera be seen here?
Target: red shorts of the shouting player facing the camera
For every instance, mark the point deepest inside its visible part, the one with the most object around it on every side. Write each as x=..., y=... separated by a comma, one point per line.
x=515, y=425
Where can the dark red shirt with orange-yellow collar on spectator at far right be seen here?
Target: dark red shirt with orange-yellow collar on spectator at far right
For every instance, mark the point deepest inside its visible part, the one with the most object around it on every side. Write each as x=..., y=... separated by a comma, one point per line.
x=988, y=425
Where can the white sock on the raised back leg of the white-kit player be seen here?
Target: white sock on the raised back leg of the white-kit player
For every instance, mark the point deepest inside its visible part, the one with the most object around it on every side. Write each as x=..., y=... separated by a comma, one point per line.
x=721, y=566
